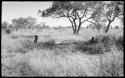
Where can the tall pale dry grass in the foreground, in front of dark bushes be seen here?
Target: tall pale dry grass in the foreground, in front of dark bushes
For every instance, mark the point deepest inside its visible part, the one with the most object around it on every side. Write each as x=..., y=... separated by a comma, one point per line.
x=24, y=59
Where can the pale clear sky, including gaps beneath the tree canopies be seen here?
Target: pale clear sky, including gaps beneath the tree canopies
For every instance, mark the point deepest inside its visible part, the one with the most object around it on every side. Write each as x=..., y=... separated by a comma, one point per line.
x=16, y=9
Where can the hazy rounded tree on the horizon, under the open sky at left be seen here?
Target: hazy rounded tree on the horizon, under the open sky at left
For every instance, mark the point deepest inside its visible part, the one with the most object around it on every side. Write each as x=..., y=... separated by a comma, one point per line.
x=23, y=22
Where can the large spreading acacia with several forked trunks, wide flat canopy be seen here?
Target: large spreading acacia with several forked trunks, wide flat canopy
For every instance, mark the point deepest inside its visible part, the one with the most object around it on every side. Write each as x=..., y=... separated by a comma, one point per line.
x=76, y=12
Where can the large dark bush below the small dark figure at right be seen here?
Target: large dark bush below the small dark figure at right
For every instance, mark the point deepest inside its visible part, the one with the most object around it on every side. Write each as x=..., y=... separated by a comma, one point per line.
x=102, y=45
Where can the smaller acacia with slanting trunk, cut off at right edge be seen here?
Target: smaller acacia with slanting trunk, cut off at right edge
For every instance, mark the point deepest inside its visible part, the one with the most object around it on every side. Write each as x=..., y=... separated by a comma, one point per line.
x=114, y=9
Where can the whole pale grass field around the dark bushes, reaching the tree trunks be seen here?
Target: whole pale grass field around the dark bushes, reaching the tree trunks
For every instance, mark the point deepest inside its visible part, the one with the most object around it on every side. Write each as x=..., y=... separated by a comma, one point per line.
x=22, y=58
